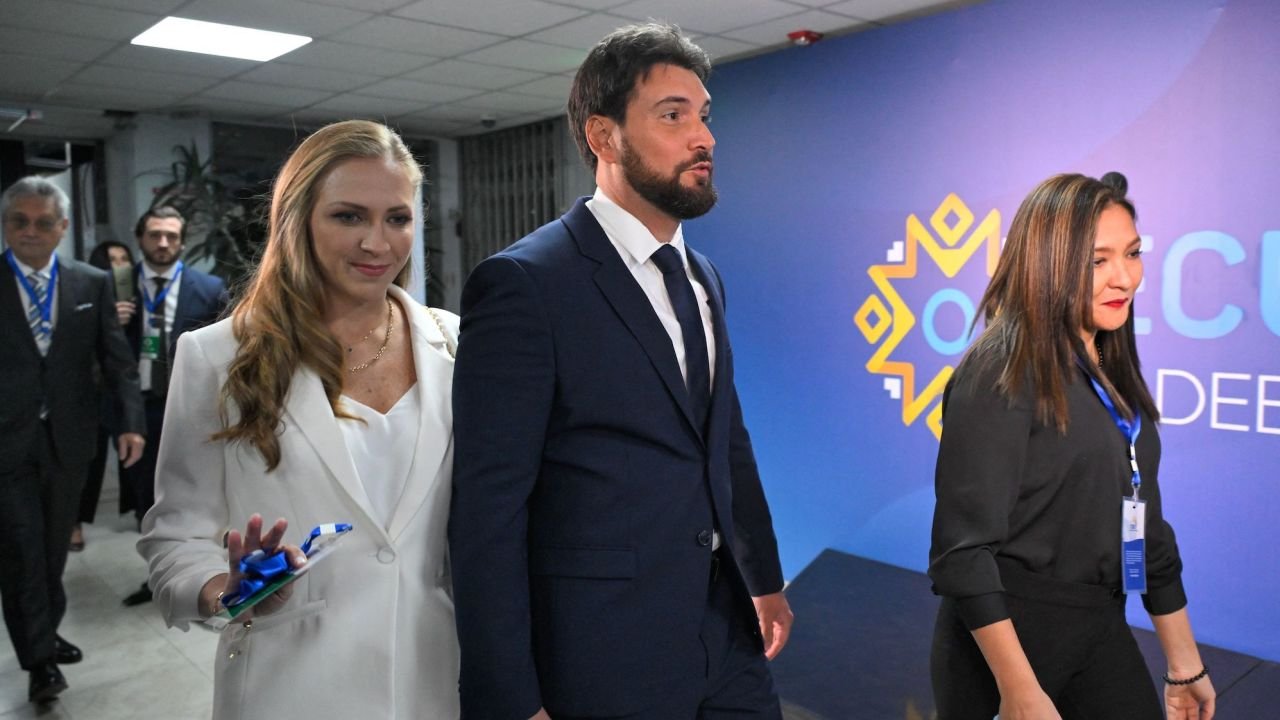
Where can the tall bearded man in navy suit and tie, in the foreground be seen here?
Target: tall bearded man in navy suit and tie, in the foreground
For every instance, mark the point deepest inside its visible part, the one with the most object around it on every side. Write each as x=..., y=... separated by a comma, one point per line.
x=612, y=550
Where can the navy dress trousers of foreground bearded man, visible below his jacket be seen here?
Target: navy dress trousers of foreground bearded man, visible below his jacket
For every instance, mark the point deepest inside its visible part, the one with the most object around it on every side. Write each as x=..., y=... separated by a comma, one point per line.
x=737, y=682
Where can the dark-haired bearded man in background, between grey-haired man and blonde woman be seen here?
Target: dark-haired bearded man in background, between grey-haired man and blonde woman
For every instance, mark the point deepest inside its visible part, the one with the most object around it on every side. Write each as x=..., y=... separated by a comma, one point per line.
x=172, y=299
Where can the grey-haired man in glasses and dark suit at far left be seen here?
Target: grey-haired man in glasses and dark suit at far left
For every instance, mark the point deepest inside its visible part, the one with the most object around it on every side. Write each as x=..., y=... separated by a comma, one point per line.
x=57, y=323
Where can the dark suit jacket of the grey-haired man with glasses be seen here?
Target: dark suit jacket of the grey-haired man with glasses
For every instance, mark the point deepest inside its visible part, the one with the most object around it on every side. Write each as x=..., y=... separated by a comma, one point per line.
x=85, y=334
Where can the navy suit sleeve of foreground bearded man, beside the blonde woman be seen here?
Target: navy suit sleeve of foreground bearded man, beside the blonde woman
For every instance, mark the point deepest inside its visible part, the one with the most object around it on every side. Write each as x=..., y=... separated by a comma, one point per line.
x=504, y=388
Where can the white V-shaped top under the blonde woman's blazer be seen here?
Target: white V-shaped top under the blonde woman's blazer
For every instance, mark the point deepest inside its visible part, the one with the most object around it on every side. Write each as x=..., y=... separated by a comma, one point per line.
x=382, y=449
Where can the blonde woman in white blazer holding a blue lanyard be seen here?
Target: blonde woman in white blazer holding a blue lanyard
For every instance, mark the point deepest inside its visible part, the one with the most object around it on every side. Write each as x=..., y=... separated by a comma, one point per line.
x=326, y=398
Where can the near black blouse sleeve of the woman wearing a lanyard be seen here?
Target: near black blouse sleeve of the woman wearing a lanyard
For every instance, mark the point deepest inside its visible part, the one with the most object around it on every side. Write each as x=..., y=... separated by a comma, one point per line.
x=981, y=458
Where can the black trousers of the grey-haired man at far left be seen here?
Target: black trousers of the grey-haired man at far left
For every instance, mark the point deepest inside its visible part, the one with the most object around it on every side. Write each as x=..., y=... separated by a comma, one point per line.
x=39, y=503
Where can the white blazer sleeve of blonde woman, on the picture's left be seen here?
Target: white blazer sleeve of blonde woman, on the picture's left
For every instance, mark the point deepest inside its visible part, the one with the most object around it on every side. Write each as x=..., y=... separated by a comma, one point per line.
x=182, y=532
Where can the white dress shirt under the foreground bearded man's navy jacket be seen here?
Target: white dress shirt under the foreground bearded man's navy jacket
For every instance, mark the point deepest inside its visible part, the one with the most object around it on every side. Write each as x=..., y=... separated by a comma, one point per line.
x=637, y=245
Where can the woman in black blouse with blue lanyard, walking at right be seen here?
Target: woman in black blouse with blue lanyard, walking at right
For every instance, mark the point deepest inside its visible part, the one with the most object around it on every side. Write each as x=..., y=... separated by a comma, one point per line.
x=1035, y=476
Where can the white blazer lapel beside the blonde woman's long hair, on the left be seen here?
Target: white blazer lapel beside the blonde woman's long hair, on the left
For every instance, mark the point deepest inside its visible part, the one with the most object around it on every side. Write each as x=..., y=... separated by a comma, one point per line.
x=309, y=411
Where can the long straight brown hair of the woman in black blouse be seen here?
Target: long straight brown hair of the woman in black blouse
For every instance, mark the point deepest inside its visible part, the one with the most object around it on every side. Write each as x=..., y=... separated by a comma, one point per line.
x=1041, y=297
